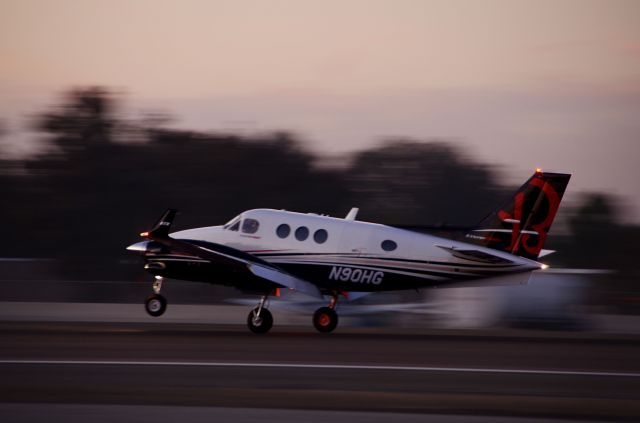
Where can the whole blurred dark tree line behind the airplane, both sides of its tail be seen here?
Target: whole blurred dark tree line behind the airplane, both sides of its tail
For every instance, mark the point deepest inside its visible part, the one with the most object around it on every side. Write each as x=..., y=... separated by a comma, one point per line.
x=101, y=179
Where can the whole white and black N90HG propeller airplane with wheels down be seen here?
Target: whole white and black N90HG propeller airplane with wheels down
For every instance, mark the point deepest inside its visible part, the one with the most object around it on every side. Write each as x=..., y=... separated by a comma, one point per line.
x=262, y=251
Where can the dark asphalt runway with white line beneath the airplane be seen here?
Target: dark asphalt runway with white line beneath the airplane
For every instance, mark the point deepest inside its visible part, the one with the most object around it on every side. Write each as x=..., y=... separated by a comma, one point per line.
x=401, y=376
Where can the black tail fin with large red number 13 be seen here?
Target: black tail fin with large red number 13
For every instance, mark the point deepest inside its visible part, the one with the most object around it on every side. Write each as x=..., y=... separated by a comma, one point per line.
x=521, y=225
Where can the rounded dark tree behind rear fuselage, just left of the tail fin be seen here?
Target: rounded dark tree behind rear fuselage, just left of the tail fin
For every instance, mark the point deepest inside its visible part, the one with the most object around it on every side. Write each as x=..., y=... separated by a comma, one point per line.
x=418, y=183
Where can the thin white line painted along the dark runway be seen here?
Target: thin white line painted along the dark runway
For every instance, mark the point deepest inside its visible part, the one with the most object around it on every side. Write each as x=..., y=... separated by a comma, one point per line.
x=320, y=366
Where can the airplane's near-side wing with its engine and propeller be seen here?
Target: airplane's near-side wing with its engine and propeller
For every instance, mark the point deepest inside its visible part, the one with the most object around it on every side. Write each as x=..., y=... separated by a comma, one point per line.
x=227, y=256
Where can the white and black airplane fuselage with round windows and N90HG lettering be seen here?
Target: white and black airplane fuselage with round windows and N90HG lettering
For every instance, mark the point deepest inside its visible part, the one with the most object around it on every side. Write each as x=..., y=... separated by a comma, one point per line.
x=353, y=255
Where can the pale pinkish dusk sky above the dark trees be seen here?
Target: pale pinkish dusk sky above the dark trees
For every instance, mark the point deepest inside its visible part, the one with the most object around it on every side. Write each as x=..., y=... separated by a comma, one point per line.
x=521, y=84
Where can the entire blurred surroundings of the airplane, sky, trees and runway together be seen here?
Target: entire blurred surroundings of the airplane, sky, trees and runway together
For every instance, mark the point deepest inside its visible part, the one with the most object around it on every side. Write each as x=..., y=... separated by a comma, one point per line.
x=419, y=112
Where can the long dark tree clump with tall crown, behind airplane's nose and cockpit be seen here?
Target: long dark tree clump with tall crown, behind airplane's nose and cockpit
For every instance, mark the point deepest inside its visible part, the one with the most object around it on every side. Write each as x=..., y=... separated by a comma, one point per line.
x=96, y=191
